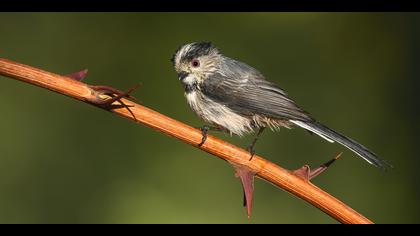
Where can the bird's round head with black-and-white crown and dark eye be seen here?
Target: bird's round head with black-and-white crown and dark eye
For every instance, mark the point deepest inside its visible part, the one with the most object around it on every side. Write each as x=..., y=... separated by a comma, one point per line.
x=194, y=61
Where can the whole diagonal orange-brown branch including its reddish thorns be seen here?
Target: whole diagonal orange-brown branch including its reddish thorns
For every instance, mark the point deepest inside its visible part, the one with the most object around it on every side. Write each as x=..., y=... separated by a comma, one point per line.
x=295, y=182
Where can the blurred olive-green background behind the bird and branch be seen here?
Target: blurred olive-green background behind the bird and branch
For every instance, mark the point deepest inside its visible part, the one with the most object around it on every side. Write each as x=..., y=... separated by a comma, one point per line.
x=63, y=161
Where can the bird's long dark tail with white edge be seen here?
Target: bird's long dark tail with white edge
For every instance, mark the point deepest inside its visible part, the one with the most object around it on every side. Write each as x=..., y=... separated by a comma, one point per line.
x=331, y=136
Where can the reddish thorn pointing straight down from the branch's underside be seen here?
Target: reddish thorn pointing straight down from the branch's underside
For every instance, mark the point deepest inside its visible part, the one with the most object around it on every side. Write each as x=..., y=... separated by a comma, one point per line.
x=246, y=175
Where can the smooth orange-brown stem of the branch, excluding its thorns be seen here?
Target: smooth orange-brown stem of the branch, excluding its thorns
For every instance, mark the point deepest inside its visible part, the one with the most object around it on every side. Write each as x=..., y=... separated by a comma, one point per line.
x=264, y=169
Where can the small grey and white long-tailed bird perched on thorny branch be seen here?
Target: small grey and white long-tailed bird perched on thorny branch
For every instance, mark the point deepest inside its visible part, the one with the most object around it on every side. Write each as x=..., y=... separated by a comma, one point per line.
x=234, y=97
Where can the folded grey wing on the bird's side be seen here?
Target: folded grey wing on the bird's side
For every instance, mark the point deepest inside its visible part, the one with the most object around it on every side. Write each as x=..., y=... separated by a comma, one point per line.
x=244, y=90
